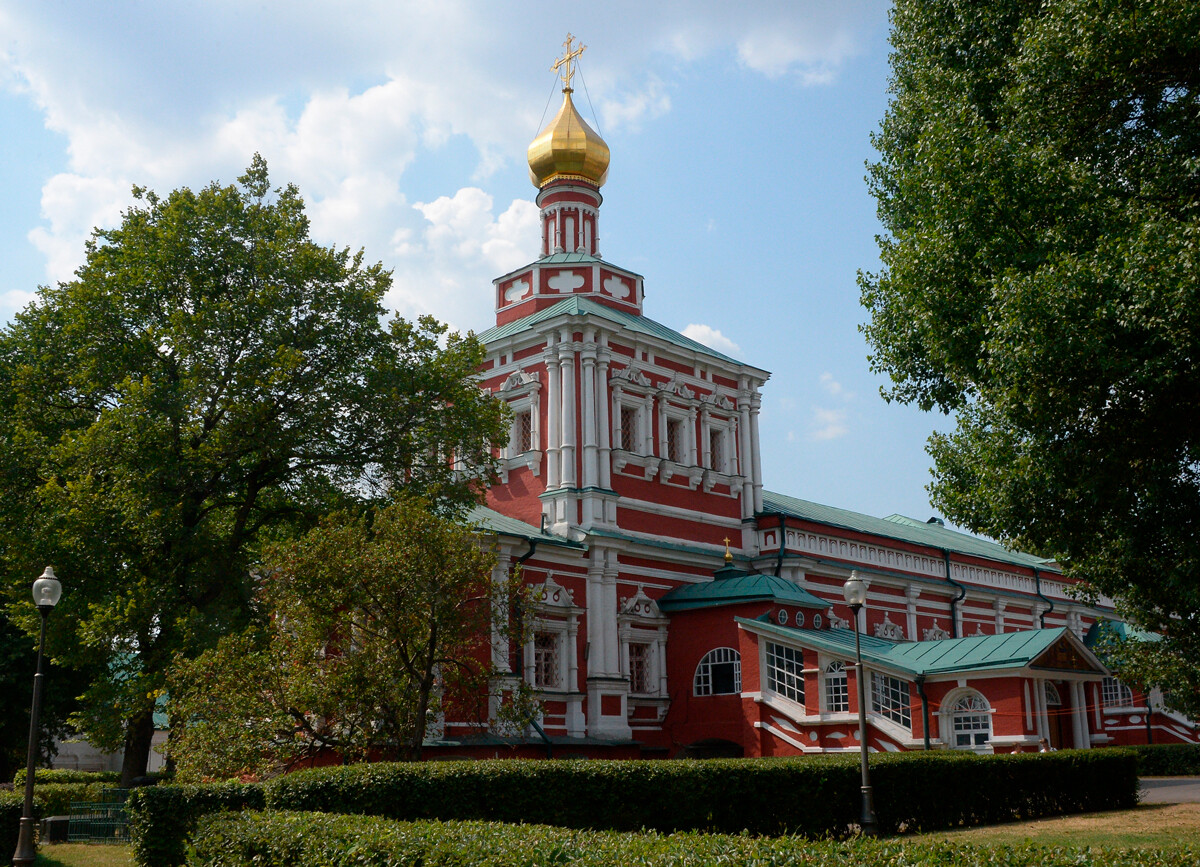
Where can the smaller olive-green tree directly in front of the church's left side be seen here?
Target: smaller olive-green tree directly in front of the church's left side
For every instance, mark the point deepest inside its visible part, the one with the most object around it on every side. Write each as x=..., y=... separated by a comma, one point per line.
x=371, y=626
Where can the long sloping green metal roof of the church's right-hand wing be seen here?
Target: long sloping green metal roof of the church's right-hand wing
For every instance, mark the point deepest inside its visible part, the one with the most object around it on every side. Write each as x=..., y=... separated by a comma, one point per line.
x=903, y=530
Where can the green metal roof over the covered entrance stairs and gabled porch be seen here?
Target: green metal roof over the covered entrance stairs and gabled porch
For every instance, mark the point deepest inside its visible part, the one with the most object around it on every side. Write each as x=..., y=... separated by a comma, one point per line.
x=1011, y=650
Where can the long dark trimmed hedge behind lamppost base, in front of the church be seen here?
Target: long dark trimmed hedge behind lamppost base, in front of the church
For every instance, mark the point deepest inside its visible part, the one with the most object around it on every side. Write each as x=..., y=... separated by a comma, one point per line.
x=814, y=797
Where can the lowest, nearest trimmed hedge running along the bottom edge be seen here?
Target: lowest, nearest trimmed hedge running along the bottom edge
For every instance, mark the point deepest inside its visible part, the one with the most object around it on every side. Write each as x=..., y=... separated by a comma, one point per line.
x=317, y=840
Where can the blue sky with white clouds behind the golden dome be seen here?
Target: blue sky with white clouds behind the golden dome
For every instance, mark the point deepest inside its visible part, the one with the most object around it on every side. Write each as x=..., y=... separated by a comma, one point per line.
x=739, y=141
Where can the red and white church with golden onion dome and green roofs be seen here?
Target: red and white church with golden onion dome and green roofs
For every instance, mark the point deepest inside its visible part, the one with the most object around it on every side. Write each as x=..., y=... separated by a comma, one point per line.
x=686, y=609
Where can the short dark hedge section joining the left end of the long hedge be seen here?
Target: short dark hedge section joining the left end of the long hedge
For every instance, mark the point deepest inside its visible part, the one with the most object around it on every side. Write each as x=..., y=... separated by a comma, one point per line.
x=163, y=817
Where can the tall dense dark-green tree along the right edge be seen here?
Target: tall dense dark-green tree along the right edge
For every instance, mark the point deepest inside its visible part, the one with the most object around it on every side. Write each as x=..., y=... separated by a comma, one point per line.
x=1040, y=188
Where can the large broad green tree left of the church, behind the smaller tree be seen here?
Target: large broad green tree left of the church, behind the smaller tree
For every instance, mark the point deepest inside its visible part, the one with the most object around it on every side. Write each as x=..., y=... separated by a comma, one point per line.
x=211, y=379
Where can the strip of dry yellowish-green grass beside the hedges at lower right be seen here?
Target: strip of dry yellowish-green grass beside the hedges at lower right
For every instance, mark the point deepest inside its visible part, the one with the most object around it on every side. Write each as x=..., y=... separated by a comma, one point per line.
x=1150, y=827
